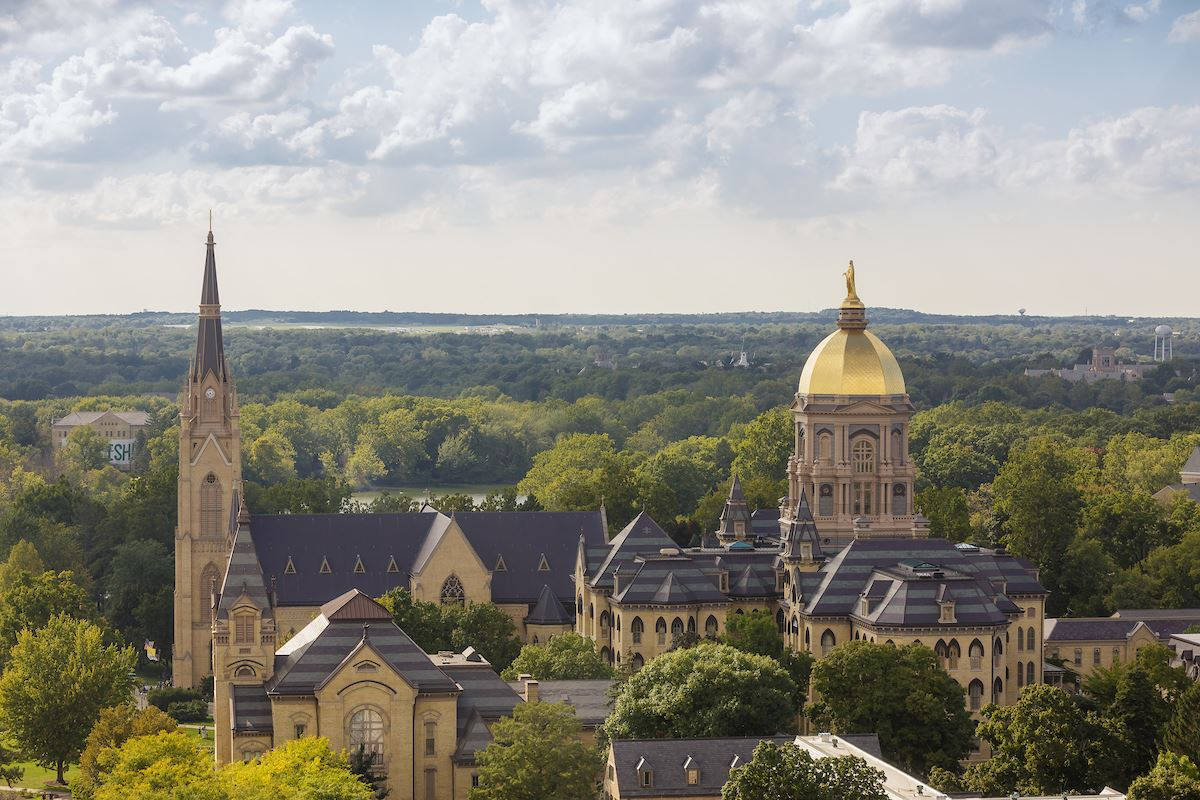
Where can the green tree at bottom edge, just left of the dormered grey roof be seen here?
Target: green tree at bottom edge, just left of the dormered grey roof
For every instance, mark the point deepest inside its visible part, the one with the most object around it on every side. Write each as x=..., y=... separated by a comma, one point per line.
x=537, y=755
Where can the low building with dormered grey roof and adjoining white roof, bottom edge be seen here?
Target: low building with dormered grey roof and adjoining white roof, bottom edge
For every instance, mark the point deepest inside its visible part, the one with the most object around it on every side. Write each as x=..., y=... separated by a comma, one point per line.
x=657, y=769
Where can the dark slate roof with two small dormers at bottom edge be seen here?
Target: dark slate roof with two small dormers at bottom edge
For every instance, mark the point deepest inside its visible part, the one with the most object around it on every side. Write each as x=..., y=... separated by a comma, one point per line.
x=667, y=759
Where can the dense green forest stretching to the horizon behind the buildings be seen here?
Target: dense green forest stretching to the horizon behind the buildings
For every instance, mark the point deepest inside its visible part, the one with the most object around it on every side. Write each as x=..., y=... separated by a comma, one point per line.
x=1060, y=473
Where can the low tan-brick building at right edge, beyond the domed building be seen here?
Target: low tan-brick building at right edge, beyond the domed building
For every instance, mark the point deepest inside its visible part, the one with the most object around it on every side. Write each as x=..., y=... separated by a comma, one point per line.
x=1088, y=643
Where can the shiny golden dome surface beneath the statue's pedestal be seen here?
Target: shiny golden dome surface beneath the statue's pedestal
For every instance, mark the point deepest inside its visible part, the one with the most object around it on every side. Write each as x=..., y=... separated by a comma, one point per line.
x=851, y=362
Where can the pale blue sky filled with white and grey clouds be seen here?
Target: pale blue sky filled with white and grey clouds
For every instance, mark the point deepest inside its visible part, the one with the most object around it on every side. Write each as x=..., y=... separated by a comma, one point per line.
x=973, y=157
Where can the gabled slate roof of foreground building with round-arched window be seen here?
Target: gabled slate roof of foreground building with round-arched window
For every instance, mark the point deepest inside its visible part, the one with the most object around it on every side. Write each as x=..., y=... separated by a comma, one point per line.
x=320, y=649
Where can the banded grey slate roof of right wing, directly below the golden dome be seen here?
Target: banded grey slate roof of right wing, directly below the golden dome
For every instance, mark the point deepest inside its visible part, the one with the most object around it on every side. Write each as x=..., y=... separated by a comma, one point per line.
x=977, y=580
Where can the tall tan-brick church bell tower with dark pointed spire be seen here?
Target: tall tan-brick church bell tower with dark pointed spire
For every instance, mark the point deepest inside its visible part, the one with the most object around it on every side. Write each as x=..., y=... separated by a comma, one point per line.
x=209, y=479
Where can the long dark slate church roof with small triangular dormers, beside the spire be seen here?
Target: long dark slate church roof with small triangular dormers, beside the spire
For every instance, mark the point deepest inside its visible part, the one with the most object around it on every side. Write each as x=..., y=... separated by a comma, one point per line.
x=407, y=540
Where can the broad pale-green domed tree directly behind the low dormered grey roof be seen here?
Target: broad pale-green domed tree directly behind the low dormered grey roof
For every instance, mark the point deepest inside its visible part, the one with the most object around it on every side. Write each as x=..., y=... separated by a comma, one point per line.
x=711, y=690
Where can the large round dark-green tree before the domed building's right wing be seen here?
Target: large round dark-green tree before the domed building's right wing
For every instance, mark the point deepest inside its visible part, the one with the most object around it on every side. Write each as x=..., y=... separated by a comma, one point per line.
x=901, y=694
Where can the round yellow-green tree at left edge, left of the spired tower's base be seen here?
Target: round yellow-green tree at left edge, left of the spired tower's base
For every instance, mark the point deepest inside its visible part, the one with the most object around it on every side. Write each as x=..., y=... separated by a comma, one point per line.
x=57, y=682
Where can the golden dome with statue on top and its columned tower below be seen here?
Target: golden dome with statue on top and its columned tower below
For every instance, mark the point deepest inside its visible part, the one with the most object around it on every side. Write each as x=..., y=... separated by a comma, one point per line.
x=853, y=417
